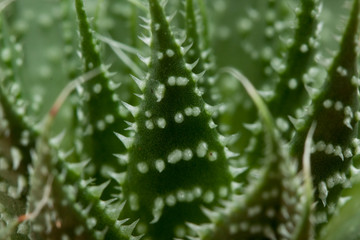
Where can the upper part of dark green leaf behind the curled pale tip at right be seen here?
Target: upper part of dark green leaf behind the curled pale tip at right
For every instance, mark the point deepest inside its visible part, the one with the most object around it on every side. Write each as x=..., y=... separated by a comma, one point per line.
x=291, y=87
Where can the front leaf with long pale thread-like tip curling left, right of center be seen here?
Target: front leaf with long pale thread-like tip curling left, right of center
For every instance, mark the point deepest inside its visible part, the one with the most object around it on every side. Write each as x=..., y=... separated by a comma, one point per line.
x=271, y=206
